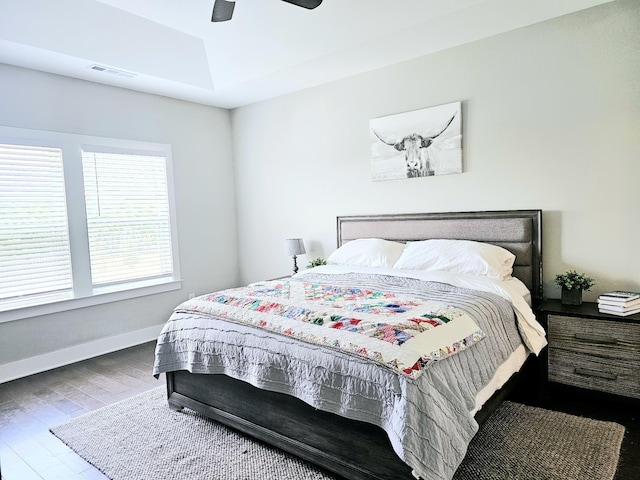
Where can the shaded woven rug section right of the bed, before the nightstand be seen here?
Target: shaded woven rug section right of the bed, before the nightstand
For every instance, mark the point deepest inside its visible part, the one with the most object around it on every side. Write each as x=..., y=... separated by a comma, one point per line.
x=526, y=443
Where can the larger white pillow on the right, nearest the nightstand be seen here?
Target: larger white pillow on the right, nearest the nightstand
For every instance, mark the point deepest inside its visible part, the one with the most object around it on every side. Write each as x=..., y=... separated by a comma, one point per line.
x=459, y=256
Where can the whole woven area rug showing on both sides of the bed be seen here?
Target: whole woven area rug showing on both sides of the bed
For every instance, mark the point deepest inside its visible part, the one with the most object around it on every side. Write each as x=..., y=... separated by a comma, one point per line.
x=142, y=439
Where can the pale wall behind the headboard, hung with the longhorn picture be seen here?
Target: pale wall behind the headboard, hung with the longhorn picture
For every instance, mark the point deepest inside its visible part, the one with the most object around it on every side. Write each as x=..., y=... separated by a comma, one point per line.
x=551, y=120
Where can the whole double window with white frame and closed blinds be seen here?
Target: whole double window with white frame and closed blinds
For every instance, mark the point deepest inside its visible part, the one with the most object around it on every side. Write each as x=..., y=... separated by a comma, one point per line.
x=83, y=220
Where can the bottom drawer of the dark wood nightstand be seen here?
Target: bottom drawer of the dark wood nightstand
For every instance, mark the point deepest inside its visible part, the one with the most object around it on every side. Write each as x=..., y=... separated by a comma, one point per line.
x=621, y=377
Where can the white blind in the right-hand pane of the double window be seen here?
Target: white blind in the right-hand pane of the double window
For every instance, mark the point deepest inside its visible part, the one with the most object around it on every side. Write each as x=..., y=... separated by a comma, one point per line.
x=128, y=218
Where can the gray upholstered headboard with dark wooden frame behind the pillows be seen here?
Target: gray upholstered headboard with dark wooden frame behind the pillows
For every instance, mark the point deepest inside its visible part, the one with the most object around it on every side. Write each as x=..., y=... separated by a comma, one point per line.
x=519, y=231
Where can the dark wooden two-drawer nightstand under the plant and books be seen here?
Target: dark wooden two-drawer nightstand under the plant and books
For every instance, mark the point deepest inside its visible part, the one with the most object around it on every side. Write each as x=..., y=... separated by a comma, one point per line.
x=592, y=350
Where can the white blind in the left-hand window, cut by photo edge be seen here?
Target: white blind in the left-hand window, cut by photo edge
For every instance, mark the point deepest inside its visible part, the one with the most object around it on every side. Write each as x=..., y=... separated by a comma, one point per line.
x=34, y=238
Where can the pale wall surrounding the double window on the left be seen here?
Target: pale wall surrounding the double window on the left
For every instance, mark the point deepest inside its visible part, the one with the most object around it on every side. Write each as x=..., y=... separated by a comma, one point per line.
x=201, y=145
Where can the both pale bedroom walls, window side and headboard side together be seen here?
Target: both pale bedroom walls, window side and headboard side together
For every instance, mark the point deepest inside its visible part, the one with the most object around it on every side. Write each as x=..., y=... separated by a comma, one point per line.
x=551, y=120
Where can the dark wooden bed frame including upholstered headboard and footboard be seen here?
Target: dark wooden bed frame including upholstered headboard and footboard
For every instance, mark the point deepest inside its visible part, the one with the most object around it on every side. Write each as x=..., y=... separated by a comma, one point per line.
x=352, y=449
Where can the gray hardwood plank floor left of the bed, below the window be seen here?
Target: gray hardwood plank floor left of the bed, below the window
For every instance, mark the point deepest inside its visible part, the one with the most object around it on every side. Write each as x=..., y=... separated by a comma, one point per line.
x=31, y=405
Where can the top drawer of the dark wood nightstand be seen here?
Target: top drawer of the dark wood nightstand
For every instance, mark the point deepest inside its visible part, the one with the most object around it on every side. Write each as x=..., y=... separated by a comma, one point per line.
x=592, y=337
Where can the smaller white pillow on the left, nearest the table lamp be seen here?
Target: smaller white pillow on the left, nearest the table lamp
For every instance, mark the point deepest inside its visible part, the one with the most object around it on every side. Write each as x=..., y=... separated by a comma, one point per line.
x=367, y=252
